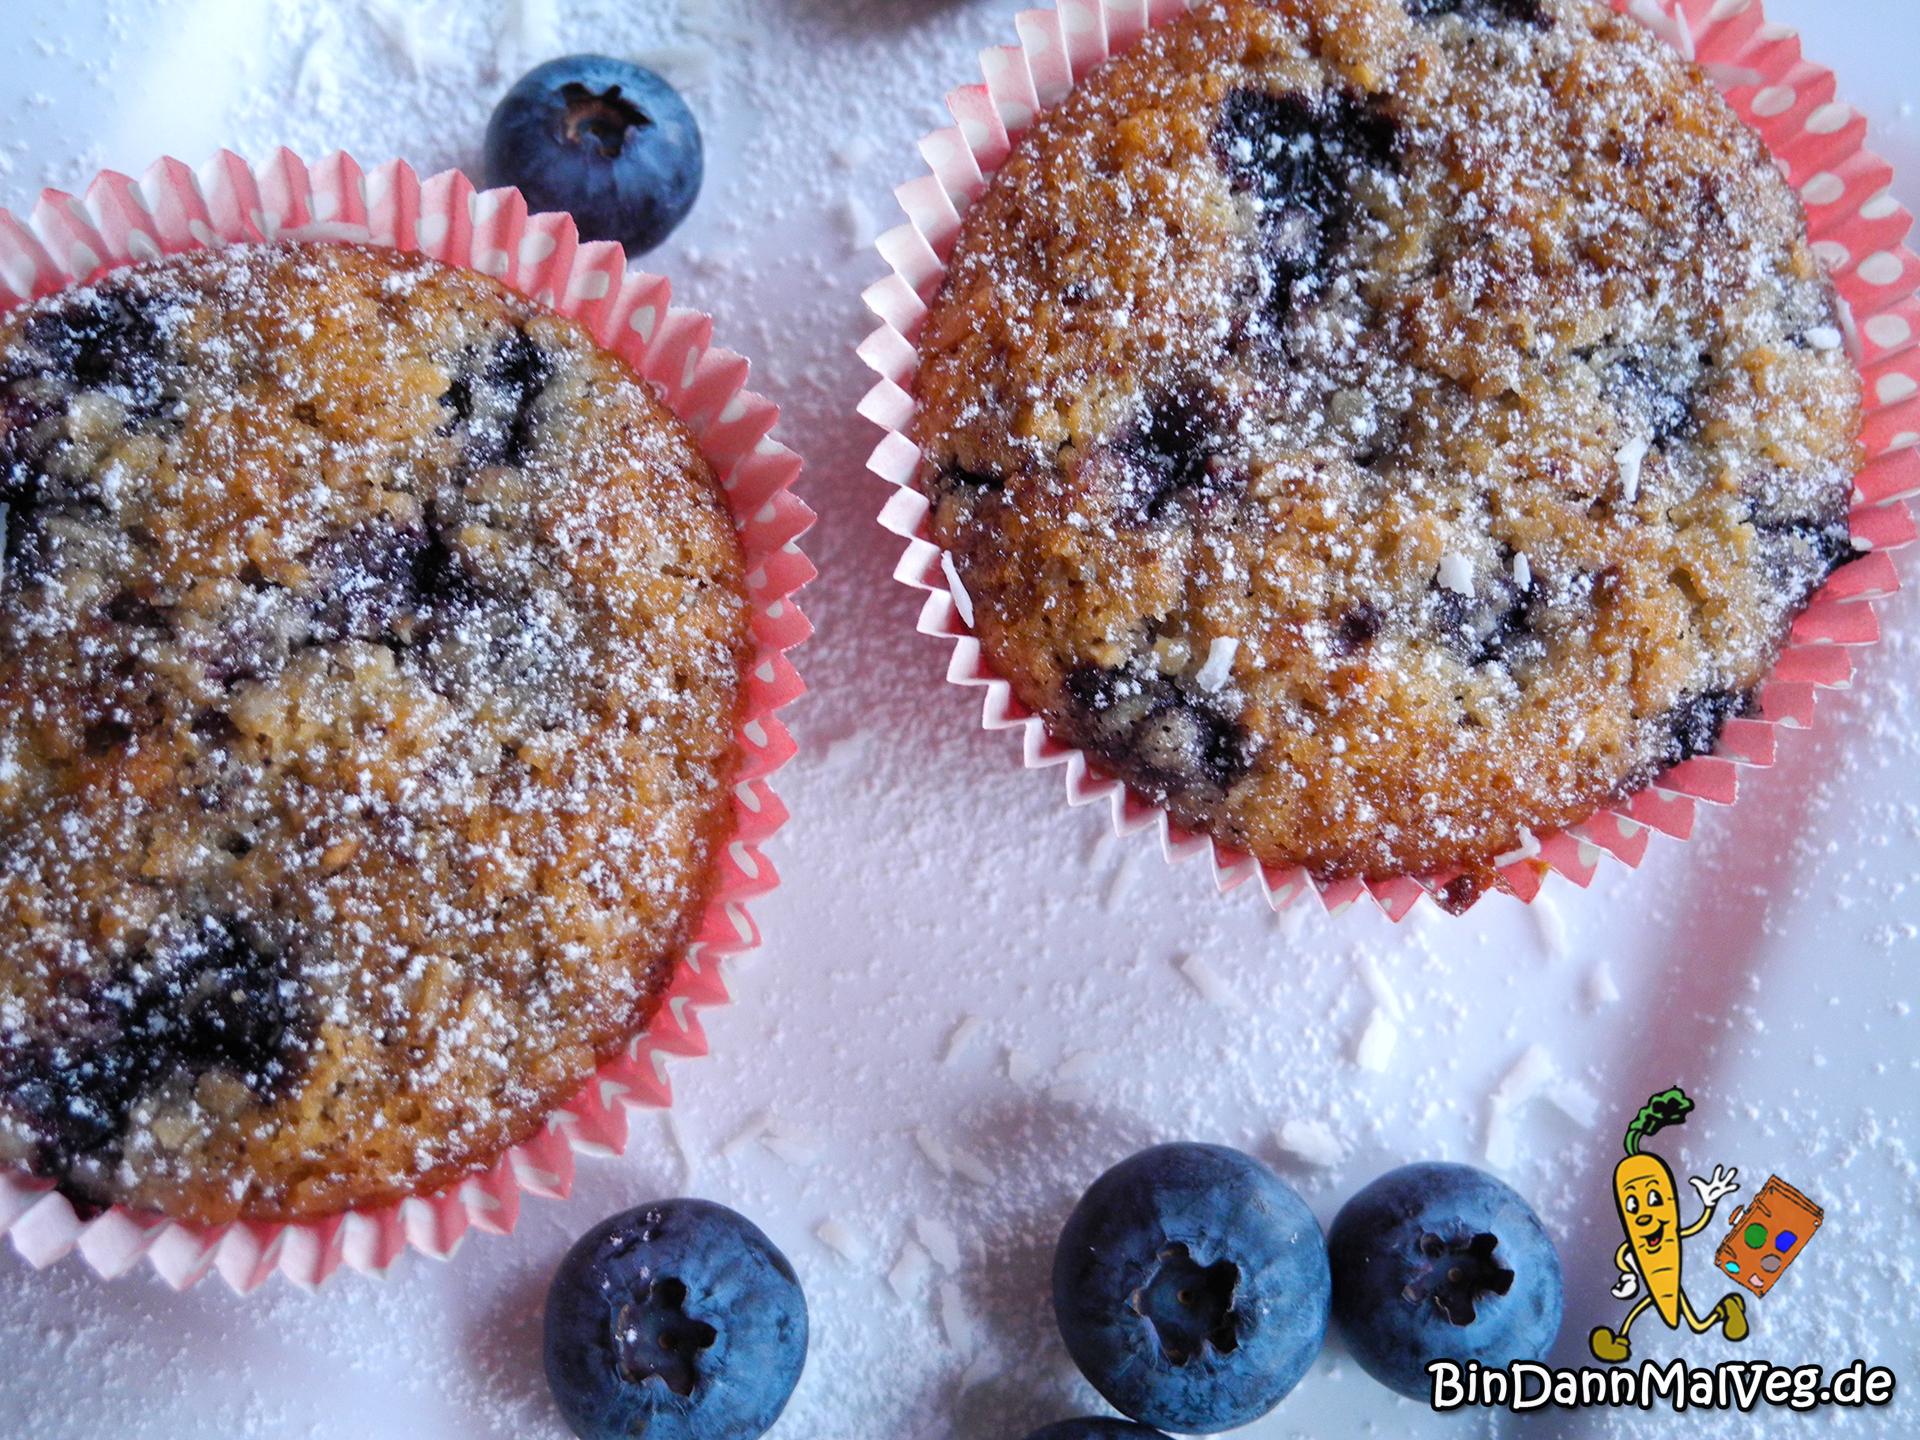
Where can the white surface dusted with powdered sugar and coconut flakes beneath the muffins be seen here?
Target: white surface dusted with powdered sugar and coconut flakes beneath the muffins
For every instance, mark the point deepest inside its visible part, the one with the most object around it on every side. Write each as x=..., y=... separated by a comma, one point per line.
x=1767, y=967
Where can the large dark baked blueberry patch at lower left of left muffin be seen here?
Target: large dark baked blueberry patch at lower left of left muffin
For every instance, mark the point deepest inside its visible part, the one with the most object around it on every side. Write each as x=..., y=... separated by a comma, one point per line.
x=203, y=1001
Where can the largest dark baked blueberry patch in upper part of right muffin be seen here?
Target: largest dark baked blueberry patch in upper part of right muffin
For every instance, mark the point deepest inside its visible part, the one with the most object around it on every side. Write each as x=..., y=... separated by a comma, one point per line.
x=1299, y=158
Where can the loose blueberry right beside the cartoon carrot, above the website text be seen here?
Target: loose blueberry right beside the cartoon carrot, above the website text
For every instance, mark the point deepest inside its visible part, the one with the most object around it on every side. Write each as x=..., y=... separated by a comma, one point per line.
x=1441, y=1262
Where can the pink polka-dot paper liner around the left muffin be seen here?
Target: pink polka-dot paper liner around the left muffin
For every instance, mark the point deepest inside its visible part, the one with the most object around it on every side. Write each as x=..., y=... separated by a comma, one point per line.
x=170, y=210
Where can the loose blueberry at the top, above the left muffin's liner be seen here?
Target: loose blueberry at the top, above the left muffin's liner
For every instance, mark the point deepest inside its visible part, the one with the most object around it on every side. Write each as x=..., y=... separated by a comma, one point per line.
x=610, y=143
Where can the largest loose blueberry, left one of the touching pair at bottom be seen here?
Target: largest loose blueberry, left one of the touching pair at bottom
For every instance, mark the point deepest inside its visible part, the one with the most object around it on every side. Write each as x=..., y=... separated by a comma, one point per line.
x=1191, y=1287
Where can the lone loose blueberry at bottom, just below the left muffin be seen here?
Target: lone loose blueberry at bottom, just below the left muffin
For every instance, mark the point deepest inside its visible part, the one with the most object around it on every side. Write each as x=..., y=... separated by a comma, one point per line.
x=679, y=1322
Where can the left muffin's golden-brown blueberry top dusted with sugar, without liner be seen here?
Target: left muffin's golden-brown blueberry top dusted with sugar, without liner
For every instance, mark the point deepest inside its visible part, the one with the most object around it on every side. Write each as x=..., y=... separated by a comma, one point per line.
x=372, y=654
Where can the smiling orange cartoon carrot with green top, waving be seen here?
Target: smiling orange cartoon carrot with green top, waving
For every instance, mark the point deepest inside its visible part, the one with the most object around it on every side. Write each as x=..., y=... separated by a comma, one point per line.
x=1648, y=1203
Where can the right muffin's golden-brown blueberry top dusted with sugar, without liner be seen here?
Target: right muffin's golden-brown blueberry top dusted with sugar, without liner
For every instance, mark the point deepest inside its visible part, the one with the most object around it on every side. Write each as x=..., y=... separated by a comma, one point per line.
x=1380, y=429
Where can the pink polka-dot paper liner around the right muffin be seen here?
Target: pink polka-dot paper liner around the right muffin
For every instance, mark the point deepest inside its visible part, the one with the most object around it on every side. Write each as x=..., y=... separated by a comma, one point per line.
x=1856, y=228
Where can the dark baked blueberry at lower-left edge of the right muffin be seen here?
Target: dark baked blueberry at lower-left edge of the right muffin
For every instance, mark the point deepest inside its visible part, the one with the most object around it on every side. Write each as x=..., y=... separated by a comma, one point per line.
x=1155, y=734
